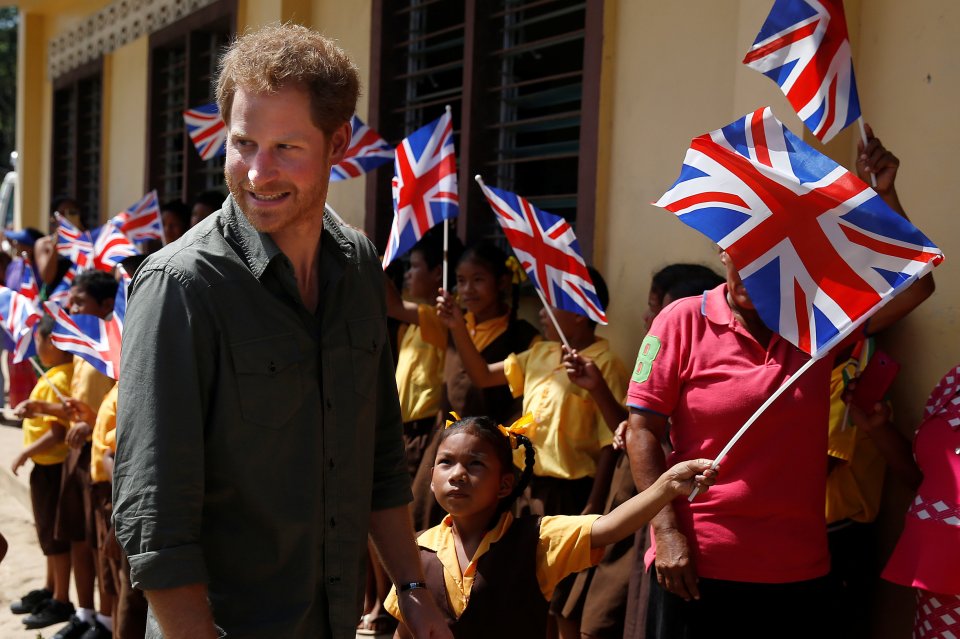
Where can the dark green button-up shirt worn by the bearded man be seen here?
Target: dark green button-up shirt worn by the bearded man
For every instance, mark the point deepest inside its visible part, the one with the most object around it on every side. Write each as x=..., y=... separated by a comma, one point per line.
x=255, y=436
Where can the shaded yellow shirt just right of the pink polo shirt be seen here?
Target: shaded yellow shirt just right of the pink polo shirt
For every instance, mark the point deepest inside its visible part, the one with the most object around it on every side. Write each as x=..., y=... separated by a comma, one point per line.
x=855, y=484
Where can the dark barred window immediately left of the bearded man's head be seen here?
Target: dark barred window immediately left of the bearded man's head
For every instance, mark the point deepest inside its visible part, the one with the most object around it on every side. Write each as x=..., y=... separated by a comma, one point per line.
x=183, y=64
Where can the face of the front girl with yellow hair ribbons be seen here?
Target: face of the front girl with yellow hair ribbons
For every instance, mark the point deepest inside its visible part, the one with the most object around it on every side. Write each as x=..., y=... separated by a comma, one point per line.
x=468, y=479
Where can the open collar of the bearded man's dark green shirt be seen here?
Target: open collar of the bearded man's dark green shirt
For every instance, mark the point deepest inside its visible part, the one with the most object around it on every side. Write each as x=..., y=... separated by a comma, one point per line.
x=258, y=249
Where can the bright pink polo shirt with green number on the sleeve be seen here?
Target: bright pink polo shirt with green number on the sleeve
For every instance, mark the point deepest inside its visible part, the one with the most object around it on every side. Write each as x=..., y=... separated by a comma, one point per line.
x=763, y=520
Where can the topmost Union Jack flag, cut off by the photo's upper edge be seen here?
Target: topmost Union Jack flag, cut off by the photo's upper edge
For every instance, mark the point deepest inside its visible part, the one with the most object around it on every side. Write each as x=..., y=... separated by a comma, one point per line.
x=803, y=46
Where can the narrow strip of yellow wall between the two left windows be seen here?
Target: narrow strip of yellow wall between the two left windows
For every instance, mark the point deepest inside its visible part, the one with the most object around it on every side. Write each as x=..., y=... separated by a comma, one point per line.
x=124, y=126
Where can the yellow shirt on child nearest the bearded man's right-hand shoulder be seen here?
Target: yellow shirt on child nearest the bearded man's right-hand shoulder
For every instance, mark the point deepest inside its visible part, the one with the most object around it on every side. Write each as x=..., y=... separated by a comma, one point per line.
x=420, y=365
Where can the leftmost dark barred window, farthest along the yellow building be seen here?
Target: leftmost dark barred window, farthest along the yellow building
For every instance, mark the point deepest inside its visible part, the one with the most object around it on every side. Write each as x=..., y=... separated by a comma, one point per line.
x=75, y=153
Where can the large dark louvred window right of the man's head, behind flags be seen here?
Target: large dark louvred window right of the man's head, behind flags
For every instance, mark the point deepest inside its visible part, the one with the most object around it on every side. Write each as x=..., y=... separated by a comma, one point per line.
x=522, y=78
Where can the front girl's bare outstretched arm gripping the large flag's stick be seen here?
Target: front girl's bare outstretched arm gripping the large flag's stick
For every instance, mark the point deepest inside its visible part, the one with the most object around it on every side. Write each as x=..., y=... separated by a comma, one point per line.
x=629, y=516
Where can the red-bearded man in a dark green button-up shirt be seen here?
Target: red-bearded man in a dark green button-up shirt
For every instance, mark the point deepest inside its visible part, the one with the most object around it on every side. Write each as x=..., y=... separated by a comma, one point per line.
x=258, y=422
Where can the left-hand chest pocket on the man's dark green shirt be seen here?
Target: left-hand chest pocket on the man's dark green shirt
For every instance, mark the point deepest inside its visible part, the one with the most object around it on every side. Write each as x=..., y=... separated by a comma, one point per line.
x=269, y=379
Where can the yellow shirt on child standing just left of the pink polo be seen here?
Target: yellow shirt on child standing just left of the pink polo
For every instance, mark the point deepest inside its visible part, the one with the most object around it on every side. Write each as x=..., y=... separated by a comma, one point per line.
x=569, y=430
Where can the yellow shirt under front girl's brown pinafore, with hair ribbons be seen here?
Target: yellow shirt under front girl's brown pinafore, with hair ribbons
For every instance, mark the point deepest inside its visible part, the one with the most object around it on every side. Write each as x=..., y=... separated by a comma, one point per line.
x=564, y=548
